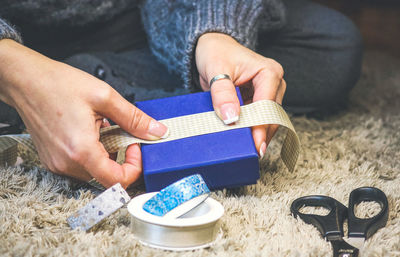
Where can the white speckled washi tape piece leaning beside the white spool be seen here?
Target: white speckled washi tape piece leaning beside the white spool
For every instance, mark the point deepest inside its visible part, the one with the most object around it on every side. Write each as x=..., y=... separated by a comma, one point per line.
x=99, y=208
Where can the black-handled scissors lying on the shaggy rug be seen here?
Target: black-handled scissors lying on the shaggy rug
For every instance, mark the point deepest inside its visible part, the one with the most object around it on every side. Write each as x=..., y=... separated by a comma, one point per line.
x=331, y=225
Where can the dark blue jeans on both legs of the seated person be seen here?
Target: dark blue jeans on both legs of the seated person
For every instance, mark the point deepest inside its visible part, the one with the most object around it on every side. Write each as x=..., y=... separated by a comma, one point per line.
x=319, y=49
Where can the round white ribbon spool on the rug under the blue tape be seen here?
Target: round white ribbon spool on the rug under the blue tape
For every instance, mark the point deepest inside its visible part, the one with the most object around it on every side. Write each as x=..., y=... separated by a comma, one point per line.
x=196, y=229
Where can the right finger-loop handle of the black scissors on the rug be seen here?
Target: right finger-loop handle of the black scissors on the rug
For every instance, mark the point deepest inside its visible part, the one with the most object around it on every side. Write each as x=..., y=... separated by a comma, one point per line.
x=367, y=227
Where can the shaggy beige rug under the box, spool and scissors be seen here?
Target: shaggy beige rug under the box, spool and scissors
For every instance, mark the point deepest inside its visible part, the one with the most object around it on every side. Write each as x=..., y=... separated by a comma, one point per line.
x=358, y=147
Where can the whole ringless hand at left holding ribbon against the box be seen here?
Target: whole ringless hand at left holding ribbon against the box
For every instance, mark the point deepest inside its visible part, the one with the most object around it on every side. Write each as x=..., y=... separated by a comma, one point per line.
x=63, y=109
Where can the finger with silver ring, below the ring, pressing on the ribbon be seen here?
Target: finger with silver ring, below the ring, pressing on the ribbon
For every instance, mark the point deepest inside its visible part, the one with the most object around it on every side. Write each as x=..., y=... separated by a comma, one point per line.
x=225, y=101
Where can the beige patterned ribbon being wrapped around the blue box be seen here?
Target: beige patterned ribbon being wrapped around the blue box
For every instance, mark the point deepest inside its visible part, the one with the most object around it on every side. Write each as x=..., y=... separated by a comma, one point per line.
x=114, y=138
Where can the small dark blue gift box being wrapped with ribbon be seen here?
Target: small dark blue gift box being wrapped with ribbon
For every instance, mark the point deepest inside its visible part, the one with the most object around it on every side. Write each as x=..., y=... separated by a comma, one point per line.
x=224, y=159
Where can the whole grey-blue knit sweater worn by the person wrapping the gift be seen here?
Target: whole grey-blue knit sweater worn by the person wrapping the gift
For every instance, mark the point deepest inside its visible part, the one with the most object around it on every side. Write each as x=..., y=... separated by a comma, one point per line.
x=172, y=26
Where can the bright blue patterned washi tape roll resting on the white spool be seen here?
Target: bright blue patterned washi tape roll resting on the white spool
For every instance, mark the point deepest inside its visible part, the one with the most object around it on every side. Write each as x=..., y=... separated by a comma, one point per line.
x=178, y=198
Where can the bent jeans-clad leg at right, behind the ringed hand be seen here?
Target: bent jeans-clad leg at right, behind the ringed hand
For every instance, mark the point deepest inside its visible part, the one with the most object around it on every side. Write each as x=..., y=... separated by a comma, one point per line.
x=321, y=53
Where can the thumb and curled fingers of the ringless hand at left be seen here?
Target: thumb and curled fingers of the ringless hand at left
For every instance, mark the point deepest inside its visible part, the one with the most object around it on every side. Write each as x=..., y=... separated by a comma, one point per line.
x=108, y=103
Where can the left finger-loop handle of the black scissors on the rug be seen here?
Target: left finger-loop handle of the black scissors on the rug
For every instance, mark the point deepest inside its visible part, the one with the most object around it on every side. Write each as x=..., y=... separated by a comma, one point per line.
x=331, y=225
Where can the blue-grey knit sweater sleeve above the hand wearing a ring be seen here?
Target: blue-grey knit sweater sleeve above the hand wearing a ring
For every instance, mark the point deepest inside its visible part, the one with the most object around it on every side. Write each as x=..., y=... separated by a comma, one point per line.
x=173, y=27
